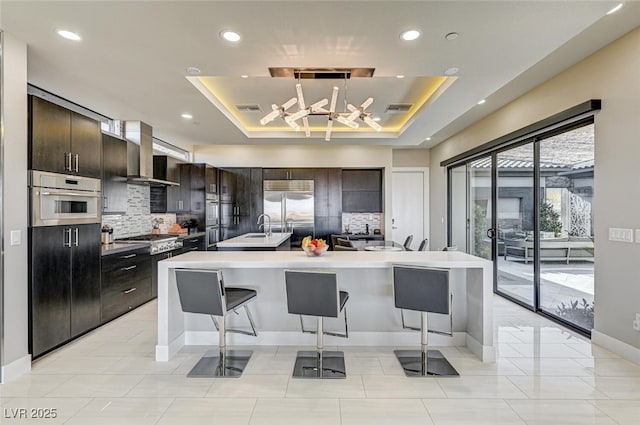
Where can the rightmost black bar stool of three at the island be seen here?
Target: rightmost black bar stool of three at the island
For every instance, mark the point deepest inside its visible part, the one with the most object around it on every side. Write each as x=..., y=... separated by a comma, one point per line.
x=425, y=290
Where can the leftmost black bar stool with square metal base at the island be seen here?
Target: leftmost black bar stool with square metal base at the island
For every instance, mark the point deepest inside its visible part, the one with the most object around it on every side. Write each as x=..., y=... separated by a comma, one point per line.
x=203, y=292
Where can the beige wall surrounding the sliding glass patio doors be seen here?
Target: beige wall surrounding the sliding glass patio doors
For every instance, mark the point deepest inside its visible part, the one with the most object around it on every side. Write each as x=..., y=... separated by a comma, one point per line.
x=613, y=75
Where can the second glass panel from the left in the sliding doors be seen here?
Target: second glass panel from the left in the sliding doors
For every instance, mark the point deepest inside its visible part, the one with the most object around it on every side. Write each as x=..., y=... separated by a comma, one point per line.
x=479, y=212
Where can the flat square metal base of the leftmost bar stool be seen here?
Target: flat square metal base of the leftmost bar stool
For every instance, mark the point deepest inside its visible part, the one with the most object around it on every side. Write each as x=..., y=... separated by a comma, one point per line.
x=210, y=365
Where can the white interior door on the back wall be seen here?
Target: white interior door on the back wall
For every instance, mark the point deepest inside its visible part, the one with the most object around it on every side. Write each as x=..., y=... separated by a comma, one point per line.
x=410, y=212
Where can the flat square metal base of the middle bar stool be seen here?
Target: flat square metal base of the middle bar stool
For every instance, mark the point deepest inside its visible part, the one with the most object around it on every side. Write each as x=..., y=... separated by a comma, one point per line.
x=320, y=365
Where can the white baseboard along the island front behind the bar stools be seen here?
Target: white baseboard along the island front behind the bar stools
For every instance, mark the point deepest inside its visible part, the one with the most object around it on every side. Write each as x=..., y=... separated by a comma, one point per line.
x=390, y=339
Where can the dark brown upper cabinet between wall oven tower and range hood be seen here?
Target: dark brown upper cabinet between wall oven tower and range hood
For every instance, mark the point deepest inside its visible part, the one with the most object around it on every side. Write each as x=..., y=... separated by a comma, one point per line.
x=114, y=175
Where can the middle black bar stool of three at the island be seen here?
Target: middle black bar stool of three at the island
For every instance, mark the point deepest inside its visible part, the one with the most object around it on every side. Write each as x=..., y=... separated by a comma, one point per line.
x=316, y=294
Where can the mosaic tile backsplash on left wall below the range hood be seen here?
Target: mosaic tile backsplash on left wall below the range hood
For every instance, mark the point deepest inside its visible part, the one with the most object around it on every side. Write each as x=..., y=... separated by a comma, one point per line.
x=137, y=220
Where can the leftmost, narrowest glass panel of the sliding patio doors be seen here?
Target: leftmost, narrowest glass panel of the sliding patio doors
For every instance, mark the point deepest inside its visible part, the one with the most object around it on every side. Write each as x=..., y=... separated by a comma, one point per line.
x=458, y=222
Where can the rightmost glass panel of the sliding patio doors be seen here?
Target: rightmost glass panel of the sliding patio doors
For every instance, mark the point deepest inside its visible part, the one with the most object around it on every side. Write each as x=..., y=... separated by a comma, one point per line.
x=566, y=226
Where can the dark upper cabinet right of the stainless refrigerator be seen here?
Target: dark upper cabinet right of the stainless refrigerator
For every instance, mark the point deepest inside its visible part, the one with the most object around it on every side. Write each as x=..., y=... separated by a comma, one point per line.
x=362, y=191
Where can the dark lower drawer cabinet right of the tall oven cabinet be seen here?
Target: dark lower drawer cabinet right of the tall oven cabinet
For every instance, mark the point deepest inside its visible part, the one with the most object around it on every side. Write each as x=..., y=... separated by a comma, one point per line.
x=126, y=282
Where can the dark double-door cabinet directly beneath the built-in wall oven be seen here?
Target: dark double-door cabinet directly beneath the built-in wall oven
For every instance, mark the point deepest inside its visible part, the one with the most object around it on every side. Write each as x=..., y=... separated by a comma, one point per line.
x=65, y=284
